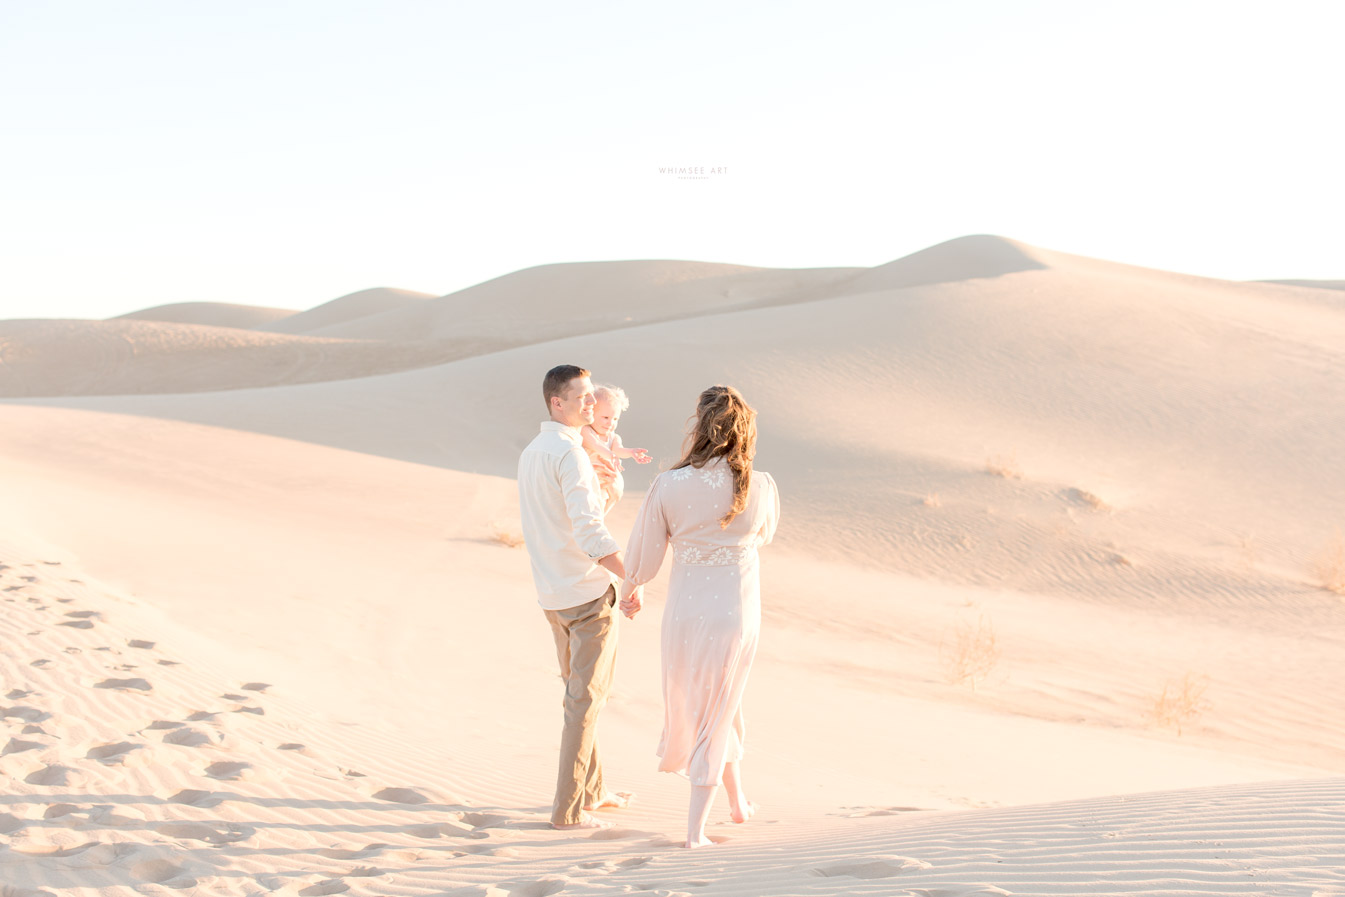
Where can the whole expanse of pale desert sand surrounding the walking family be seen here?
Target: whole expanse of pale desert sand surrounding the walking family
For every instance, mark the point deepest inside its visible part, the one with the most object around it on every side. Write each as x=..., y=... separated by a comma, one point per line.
x=272, y=638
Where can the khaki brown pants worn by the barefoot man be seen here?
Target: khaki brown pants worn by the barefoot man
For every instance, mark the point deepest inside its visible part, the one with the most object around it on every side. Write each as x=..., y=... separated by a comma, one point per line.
x=586, y=645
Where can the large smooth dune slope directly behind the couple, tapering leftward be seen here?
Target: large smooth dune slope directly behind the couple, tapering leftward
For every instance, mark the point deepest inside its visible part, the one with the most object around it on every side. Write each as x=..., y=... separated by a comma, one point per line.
x=886, y=414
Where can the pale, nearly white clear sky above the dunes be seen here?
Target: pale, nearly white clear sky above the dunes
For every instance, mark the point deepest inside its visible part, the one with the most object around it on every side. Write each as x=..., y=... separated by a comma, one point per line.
x=286, y=153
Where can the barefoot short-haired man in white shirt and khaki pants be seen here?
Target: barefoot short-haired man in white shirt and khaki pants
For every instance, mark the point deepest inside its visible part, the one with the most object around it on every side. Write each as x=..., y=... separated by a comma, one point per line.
x=574, y=560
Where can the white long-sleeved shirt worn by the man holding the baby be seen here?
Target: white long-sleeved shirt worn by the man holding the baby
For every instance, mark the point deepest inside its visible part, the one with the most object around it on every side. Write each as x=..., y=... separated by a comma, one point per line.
x=562, y=505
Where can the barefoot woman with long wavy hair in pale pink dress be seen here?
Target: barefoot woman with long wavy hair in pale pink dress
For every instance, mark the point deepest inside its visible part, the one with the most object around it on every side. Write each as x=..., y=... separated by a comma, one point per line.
x=715, y=512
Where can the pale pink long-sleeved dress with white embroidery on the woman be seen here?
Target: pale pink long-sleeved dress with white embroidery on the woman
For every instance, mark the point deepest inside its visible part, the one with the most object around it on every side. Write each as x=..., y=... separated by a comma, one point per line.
x=714, y=614
